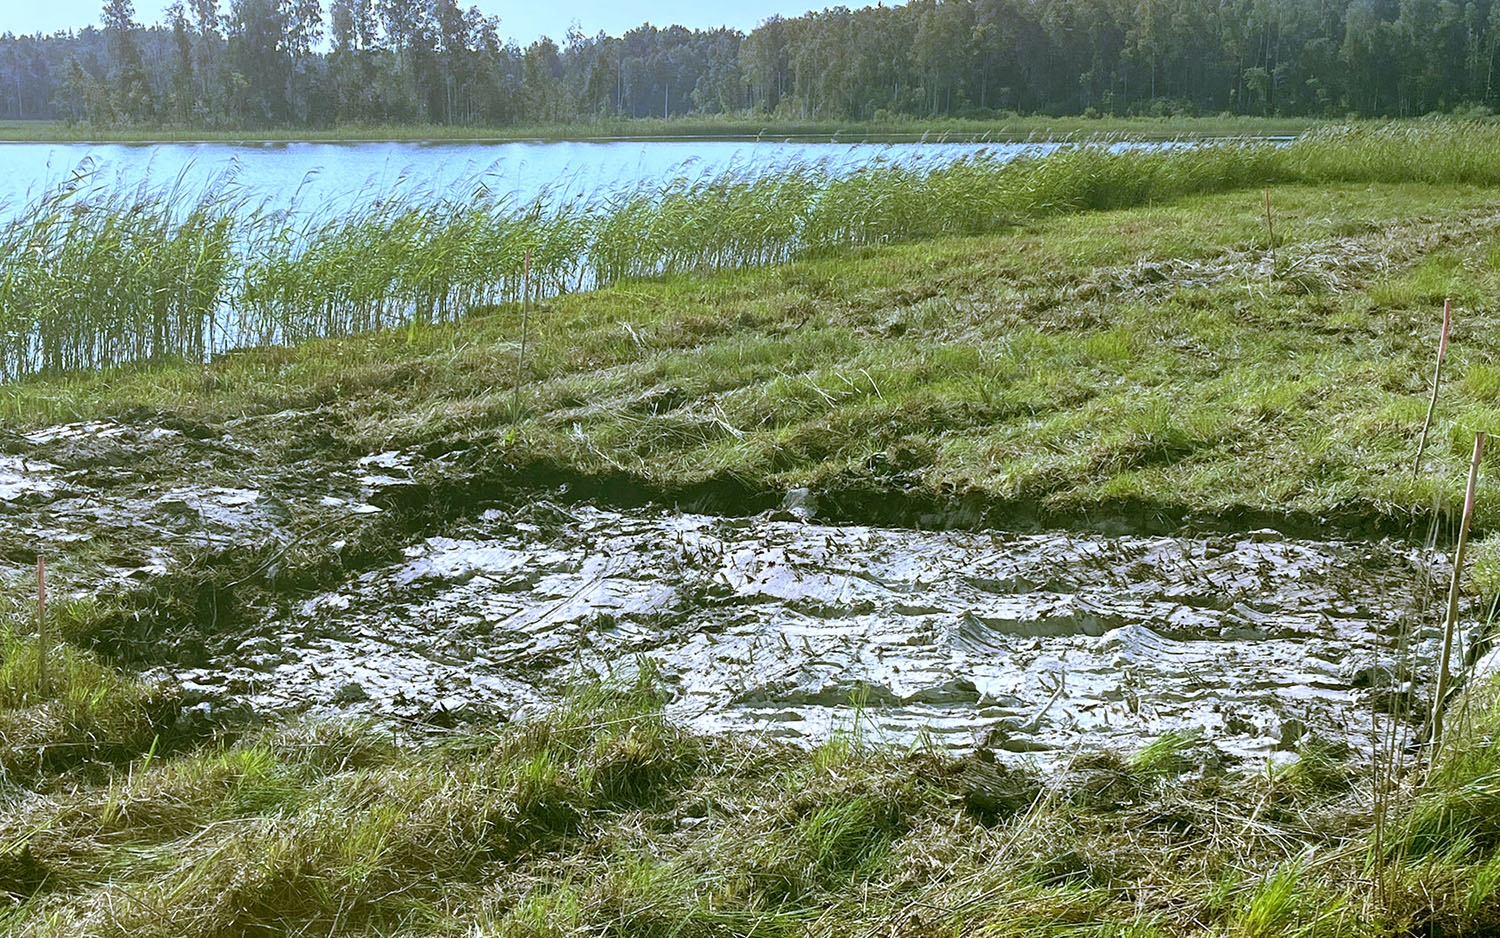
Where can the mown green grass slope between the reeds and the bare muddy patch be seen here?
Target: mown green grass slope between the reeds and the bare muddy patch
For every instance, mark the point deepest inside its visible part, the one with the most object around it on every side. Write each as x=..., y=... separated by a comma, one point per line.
x=1148, y=361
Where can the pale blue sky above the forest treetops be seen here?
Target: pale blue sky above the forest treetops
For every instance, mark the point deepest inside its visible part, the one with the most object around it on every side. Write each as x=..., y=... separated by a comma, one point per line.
x=521, y=20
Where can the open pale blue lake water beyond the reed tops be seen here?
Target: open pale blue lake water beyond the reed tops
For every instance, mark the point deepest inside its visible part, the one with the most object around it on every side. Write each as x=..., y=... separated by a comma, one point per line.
x=341, y=176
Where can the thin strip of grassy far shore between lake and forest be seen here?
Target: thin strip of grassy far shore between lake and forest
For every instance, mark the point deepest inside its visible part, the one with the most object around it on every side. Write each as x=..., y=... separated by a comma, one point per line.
x=692, y=128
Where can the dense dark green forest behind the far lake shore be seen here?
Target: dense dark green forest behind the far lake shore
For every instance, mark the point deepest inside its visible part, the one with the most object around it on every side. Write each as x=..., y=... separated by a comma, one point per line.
x=275, y=64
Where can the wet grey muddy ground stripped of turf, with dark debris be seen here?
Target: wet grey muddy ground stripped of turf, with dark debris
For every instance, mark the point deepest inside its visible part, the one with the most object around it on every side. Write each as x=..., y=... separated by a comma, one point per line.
x=1033, y=645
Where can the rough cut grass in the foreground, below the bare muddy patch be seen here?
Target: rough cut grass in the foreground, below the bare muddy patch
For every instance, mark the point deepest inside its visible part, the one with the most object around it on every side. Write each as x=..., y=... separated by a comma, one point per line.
x=604, y=819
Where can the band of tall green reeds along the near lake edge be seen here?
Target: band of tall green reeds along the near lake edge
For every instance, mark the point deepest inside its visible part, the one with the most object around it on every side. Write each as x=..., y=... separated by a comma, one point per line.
x=95, y=278
